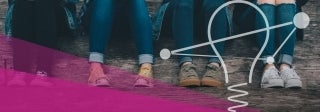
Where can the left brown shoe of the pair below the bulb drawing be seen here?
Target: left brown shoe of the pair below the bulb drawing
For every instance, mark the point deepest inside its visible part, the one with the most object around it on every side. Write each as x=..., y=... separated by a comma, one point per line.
x=188, y=76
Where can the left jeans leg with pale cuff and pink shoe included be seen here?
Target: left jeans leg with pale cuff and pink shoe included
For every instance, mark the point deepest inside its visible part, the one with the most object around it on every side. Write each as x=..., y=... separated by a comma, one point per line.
x=100, y=32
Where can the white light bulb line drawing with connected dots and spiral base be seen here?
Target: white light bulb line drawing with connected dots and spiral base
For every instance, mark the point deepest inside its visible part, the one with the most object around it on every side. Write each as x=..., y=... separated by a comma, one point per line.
x=301, y=20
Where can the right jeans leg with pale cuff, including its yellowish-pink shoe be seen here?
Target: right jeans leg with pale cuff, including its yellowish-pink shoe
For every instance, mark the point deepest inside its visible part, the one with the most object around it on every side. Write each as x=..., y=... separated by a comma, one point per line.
x=141, y=27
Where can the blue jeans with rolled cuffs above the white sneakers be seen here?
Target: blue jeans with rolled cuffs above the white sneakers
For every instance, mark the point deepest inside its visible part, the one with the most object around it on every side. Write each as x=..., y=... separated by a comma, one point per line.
x=279, y=14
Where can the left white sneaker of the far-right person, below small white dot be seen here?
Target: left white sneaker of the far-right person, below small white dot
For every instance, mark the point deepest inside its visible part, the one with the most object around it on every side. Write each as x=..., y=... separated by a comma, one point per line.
x=271, y=79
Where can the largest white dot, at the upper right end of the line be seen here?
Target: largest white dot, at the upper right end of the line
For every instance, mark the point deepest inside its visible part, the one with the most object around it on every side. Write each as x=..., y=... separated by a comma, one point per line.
x=301, y=20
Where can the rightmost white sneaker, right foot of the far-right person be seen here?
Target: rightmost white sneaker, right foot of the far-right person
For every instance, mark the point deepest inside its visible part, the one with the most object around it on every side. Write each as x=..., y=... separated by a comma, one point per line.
x=291, y=79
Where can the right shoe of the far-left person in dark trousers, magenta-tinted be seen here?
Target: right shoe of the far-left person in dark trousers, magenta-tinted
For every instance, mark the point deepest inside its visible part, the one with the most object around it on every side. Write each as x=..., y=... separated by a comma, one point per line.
x=41, y=80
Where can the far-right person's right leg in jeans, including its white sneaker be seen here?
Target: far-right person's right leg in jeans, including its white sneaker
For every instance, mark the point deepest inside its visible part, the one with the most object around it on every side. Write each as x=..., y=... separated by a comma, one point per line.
x=285, y=12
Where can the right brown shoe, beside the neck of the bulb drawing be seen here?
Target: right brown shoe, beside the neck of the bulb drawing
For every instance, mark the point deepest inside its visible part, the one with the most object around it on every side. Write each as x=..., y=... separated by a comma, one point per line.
x=213, y=76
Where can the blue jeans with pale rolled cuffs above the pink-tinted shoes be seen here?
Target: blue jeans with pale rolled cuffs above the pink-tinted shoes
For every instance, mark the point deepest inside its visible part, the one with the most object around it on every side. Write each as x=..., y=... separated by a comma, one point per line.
x=101, y=27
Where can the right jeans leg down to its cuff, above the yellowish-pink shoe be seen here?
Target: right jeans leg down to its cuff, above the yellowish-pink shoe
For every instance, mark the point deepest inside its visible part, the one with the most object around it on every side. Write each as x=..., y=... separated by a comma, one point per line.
x=141, y=27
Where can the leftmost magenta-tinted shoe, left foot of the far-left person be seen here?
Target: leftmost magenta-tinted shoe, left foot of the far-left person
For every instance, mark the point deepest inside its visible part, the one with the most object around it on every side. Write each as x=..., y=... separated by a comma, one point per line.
x=18, y=79
